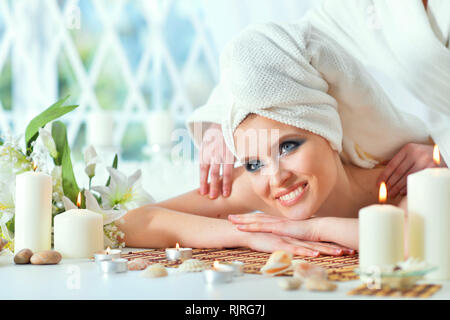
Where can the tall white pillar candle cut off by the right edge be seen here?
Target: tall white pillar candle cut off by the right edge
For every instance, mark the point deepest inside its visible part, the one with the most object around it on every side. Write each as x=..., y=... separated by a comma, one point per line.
x=429, y=219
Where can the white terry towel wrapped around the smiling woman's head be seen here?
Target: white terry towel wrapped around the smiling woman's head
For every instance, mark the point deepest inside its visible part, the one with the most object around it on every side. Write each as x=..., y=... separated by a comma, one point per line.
x=295, y=74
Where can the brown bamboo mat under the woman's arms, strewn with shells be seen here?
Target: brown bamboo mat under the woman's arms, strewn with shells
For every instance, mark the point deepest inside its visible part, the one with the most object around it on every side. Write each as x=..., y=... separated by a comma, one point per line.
x=339, y=268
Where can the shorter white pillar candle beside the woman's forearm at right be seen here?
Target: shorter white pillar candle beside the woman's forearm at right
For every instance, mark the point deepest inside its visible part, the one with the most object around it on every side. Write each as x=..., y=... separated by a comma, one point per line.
x=381, y=235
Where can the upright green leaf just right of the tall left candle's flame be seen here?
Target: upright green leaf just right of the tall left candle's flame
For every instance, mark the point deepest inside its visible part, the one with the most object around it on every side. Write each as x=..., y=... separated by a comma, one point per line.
x=70, y=186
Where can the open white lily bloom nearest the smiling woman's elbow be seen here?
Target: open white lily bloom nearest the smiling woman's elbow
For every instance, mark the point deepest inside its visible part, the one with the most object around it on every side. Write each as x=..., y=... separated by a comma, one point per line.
x=123, y=192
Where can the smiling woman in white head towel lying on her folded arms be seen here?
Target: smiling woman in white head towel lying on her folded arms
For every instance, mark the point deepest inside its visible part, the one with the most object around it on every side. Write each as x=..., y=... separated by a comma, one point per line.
x=308, y=165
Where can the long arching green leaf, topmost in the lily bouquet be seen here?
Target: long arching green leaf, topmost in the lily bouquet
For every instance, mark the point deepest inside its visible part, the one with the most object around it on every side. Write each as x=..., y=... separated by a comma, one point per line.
x=53, y=112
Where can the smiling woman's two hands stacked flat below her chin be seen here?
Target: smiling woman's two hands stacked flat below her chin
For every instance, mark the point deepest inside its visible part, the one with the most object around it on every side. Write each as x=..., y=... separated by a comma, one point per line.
x=269, y=233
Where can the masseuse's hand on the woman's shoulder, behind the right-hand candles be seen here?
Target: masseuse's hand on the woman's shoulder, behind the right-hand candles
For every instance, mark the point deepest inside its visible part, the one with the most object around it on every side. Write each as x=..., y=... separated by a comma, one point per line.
x=411, y=158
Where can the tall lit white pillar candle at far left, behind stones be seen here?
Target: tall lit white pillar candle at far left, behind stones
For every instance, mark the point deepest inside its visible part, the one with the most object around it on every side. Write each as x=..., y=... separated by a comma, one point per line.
x=33, y=212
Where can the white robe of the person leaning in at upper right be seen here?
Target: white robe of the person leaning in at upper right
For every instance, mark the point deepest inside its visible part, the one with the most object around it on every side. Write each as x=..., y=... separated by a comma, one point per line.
x=405, y=42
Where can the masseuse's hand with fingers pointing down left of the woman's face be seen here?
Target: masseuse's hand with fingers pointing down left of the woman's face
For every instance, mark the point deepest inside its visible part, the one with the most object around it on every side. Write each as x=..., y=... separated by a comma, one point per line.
x=213, y=154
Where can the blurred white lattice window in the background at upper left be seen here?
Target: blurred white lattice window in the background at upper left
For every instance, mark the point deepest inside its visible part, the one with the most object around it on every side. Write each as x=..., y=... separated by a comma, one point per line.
x=130, y=56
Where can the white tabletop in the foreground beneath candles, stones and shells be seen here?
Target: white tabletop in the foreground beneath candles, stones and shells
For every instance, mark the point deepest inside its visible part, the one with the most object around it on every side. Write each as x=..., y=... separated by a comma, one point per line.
x=82, y=279
